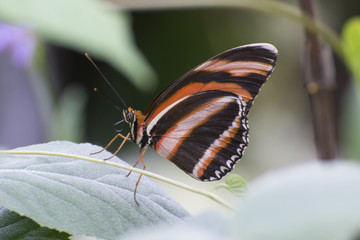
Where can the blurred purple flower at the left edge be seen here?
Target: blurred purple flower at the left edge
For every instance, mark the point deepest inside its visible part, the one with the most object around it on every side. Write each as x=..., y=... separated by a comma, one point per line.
x=19, y=42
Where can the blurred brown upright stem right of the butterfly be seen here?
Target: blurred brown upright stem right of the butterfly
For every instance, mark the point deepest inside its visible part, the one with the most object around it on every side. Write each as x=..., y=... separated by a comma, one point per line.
x=319, y=81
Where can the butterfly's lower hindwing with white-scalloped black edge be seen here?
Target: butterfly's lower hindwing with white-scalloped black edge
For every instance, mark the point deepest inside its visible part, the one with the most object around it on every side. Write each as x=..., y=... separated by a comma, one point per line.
x=208, y=138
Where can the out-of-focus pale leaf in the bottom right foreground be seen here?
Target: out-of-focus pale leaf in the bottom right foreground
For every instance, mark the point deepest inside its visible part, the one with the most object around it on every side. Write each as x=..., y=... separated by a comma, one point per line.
x=311, y=201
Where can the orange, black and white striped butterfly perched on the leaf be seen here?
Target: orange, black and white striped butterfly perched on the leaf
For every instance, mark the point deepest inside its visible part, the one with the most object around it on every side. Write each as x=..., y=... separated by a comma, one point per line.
x=200, y=121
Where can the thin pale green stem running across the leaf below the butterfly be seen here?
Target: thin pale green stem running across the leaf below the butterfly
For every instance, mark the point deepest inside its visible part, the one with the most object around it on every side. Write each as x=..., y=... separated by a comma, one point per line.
x=208, y=194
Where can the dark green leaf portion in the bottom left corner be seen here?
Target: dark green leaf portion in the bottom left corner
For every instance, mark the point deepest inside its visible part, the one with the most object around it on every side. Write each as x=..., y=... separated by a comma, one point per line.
x=14, y=227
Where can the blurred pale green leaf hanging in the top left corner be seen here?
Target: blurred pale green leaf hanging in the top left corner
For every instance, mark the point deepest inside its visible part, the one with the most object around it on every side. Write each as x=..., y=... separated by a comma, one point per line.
x=86, y=26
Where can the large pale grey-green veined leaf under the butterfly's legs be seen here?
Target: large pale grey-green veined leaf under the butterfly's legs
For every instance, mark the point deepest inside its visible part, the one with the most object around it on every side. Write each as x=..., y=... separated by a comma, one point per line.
x=79, y=197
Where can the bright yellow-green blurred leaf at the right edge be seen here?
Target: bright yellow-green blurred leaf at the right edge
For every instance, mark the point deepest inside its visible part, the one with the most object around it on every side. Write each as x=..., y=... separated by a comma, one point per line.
x=351, y=45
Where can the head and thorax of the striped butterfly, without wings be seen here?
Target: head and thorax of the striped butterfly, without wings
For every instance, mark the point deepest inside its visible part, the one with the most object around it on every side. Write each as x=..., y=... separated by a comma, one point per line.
x=138, y=133
